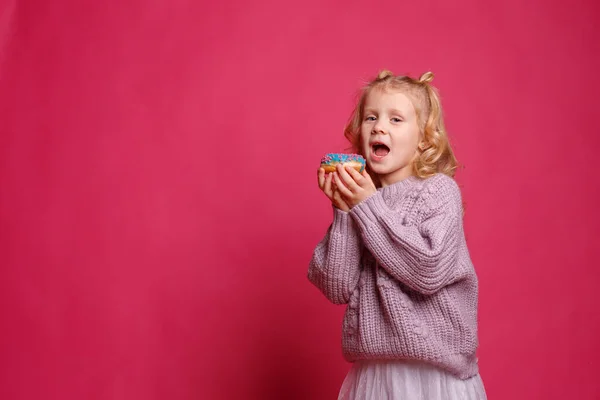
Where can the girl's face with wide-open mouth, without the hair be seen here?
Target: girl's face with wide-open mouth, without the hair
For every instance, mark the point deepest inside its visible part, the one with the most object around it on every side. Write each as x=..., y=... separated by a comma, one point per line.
x=389, y=135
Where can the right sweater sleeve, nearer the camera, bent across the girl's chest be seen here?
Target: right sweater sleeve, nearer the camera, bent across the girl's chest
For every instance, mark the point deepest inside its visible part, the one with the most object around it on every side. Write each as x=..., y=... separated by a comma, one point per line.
x=422, y=256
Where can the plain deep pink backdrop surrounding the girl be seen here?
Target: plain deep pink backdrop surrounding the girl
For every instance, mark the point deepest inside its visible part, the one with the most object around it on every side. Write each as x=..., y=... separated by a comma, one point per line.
x=159, y=203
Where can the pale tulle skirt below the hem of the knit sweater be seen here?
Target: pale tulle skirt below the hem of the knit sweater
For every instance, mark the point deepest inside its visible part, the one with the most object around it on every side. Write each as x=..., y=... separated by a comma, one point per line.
x=400, y=380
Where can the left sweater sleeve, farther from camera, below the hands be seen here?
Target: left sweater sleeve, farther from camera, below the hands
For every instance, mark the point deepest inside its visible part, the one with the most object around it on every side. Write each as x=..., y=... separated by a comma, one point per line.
x=335, y=265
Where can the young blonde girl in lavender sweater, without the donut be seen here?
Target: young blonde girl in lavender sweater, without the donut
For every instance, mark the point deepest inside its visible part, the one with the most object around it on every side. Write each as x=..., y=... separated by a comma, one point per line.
x=396, y=252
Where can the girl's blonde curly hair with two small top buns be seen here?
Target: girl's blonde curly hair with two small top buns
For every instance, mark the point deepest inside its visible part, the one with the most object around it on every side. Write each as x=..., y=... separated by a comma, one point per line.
x=435, y=154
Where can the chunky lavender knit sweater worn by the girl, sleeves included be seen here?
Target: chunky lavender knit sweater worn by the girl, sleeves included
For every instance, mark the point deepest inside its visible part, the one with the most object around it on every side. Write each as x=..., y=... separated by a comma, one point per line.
x=400, y=261
